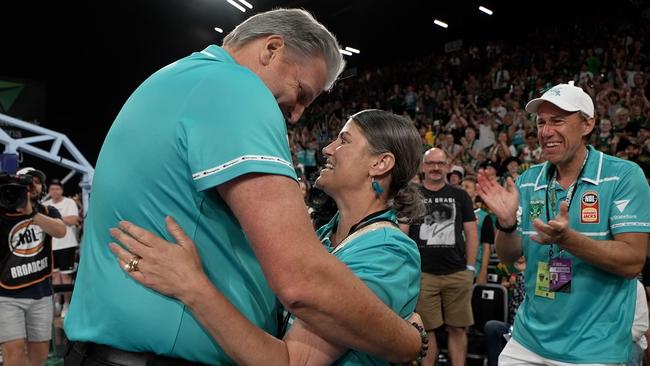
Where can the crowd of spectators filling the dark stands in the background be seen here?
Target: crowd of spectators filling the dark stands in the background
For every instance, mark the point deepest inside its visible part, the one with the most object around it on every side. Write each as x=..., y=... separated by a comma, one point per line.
x=470, y=102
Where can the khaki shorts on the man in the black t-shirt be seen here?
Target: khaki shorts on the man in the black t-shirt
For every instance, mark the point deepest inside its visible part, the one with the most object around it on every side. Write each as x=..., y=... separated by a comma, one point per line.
x=446, y=299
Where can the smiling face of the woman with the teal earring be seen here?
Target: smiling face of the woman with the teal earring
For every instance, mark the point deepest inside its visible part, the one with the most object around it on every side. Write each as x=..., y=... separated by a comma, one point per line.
x=348, y=160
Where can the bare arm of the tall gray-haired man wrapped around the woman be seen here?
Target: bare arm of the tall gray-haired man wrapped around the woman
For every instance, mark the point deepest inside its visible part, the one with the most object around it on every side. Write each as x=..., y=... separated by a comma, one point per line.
x=313, y=284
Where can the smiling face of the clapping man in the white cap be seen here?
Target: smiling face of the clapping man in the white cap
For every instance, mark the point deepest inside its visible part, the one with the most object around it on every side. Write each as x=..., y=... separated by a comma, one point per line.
x=560, y=133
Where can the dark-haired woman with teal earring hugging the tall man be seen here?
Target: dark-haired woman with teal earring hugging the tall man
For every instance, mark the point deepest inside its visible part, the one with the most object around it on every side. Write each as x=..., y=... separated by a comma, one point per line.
x=367, y=172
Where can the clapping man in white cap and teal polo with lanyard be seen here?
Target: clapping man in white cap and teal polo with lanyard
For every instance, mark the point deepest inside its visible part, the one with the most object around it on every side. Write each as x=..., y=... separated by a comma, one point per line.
x=576, y=284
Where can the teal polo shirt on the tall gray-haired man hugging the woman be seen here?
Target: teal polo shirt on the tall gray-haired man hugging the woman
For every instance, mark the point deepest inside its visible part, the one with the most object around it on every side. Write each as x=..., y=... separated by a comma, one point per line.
x=193, y=125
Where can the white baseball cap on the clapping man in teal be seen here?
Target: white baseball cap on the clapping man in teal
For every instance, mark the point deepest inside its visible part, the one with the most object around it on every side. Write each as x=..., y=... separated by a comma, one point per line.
x=567, y=97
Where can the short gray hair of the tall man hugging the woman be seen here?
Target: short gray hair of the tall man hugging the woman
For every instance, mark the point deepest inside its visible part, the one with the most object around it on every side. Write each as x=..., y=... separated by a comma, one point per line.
x=301, y=32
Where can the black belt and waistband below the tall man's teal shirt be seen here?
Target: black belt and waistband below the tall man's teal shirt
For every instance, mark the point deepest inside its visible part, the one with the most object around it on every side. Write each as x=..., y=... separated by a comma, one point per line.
x=87, y=353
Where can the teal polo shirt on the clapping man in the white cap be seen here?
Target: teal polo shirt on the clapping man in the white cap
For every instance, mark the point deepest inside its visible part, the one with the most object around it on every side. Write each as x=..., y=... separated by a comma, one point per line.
x=592, y=323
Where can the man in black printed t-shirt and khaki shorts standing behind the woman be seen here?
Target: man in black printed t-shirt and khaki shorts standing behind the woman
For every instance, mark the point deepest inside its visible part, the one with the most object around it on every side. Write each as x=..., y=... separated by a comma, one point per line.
x=448, y=240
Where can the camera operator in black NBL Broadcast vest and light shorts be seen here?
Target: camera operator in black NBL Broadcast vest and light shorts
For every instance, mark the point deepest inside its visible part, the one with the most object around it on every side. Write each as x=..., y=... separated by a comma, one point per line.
x=26, y=228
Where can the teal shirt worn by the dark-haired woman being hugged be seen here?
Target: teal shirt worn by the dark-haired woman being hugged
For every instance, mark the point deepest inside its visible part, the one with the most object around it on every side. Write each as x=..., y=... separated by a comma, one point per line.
x=388, y=262
